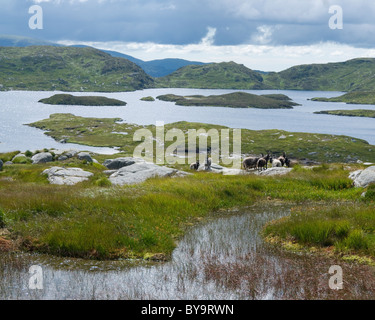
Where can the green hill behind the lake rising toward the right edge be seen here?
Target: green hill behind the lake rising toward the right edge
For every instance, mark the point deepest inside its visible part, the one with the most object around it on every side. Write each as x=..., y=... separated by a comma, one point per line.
x=352, y=75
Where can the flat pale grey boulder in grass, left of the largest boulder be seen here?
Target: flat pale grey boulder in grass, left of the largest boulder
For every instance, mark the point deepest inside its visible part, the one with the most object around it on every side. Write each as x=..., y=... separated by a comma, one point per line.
x=66, y=176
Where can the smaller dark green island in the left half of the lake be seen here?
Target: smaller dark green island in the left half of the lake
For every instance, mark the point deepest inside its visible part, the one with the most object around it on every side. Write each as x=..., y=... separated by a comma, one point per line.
x=68, y=99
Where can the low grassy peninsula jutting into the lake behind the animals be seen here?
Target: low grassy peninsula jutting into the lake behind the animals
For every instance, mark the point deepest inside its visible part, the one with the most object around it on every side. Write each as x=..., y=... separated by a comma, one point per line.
x=104, y=132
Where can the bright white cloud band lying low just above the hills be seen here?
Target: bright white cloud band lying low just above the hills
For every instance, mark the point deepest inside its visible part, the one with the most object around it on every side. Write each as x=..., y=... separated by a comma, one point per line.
x=259, y=57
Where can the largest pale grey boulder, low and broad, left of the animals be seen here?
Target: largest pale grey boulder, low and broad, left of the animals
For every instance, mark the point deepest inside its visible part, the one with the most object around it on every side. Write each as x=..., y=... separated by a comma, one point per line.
x=140, y=172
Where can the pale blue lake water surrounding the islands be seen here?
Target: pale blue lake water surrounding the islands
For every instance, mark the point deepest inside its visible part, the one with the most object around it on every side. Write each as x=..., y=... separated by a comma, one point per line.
x=18, y=108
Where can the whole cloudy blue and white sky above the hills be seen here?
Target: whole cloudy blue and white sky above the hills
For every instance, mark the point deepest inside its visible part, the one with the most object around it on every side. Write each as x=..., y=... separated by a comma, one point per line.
x=262, y=34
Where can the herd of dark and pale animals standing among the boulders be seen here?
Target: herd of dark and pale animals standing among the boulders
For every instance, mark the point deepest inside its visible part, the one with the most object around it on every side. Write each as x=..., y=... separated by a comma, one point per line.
x=259, y=163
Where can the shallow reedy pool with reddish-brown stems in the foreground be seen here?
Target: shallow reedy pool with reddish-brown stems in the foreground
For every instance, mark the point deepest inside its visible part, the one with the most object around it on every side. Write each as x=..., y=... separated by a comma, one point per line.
x=224, y=258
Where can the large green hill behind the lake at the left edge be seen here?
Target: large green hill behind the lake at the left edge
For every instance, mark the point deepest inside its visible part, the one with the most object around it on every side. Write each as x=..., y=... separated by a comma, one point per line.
x=68, y=69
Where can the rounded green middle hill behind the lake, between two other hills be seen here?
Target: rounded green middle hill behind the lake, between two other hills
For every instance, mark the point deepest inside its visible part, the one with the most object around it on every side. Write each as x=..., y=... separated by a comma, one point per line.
x=225, y=75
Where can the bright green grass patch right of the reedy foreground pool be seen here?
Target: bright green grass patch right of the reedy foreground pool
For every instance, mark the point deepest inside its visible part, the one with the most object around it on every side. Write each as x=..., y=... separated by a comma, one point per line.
x=348, y=228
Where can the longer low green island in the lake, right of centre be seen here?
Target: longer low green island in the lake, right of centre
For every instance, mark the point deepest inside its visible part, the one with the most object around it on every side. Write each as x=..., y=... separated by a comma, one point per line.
x=233, y=100
